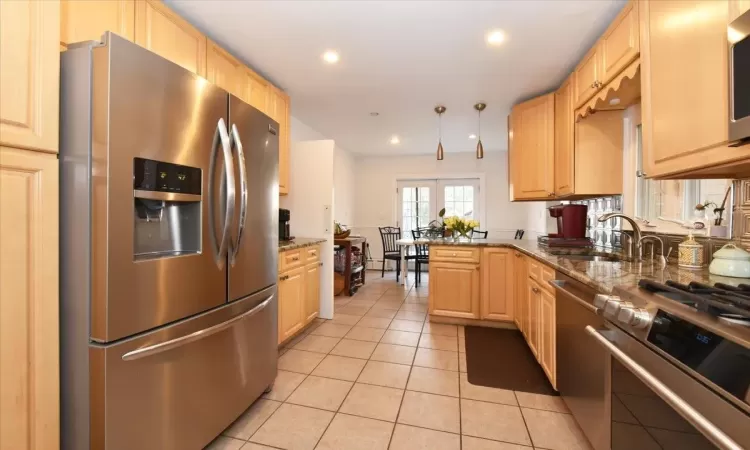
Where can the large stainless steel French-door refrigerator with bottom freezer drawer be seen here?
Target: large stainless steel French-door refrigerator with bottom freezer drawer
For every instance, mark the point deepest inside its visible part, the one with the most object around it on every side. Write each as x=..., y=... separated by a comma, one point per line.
x=169, y=231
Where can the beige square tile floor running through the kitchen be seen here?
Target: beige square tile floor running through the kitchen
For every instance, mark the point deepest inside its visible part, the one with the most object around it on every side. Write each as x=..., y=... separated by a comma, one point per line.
x=381, y=376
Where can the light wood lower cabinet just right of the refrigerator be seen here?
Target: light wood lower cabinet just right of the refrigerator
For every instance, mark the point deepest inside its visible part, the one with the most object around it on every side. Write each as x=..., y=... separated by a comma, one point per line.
x=298, y=290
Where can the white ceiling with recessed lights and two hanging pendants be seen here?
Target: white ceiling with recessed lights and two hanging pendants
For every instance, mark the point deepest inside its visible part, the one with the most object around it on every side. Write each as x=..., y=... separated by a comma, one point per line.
x=402, y=58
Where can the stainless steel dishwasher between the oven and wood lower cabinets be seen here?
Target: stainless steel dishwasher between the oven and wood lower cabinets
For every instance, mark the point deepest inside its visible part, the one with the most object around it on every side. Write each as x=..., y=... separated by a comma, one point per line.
x=583, y=368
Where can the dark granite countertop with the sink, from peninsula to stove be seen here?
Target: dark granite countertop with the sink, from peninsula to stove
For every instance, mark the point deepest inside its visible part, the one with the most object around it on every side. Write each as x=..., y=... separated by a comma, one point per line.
x=601, y=275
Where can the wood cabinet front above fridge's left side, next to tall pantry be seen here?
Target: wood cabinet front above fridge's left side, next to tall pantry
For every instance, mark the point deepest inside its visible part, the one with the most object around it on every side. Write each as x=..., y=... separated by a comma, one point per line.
x=87, y=20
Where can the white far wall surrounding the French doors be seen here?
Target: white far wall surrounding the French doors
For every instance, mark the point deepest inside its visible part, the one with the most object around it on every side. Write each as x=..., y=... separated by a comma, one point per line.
x=376, y=199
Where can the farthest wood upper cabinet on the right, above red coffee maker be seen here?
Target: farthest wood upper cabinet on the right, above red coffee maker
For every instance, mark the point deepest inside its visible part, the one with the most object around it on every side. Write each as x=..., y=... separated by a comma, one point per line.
x=531, y=150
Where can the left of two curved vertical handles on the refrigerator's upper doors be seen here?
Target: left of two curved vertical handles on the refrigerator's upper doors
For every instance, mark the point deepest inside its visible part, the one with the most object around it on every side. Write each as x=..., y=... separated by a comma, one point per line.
x=221, y=137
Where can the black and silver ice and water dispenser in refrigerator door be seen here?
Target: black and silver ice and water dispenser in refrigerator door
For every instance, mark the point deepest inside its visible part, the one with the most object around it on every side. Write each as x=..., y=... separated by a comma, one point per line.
x=166, y=208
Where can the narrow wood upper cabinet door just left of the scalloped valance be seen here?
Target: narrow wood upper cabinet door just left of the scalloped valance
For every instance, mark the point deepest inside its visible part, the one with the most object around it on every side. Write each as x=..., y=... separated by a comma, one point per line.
x=564, y=144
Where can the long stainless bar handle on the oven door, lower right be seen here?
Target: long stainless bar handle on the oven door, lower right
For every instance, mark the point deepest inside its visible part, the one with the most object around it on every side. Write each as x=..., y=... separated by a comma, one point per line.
x=703, y=425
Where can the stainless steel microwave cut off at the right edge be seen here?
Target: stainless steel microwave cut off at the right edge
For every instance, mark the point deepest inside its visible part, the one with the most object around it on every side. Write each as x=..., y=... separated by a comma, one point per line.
x=738, y=35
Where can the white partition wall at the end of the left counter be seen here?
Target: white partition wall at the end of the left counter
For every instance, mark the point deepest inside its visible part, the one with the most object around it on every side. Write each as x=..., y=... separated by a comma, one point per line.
x=310, y=200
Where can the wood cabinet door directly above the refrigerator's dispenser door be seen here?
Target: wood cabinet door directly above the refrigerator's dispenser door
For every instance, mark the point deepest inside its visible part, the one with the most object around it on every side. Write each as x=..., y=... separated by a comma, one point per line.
x=165, y=33
